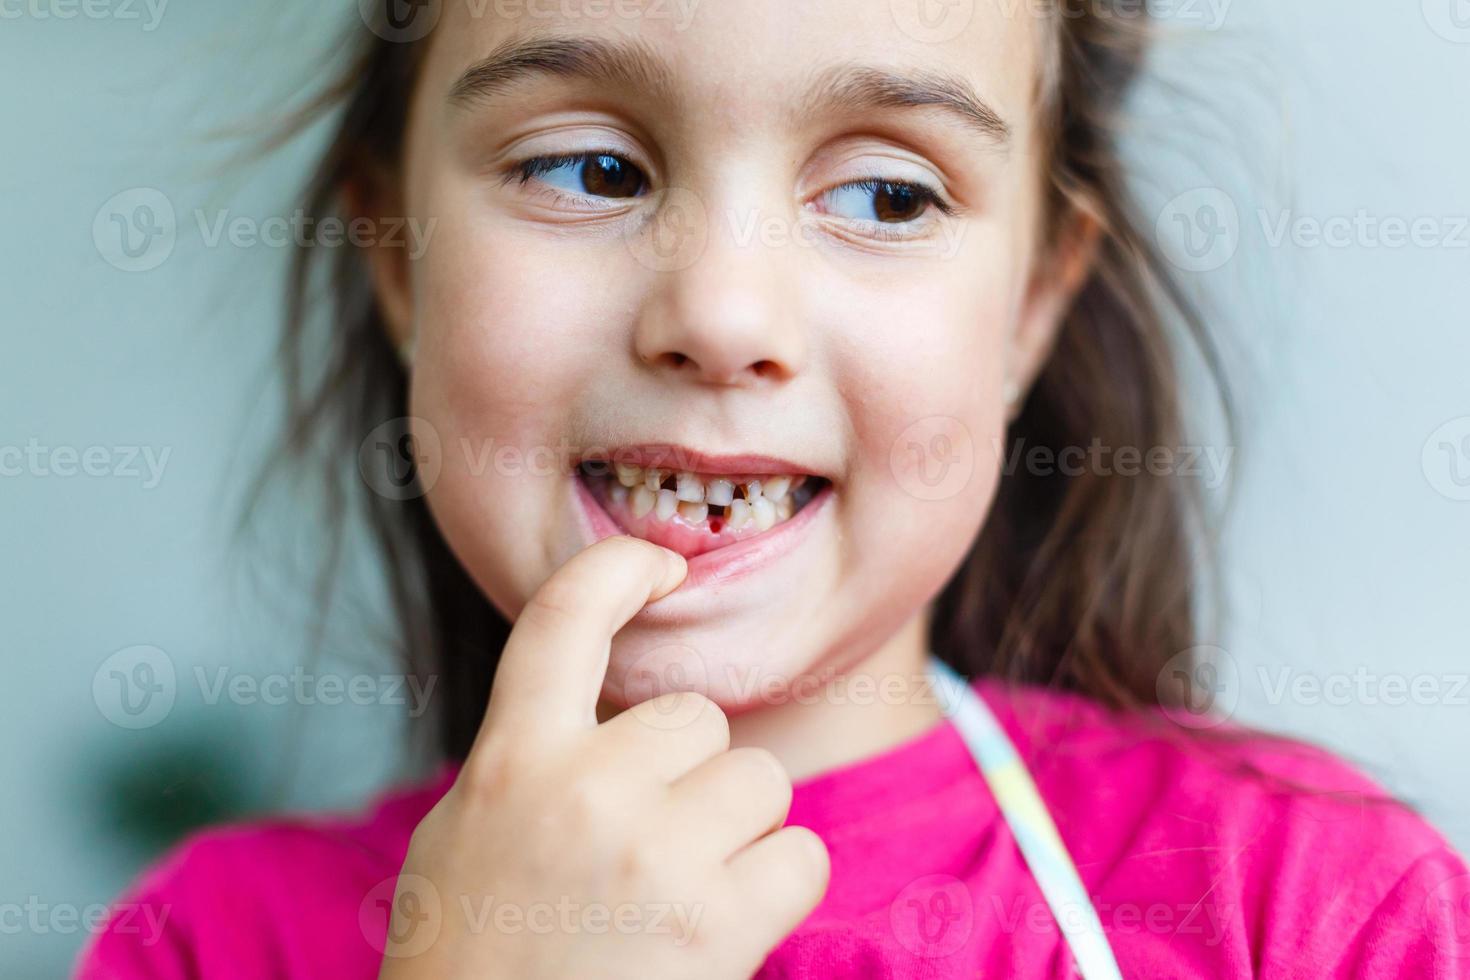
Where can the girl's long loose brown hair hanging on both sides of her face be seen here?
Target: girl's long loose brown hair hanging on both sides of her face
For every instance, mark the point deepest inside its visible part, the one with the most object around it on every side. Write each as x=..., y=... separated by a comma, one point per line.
x=1086, y=583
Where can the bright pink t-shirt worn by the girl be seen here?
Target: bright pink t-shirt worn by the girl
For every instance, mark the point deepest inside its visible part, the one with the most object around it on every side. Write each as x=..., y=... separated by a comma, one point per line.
x=1197, y=866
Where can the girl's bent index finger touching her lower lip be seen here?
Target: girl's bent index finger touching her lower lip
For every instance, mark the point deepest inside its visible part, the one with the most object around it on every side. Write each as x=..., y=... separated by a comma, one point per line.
x=552, y=671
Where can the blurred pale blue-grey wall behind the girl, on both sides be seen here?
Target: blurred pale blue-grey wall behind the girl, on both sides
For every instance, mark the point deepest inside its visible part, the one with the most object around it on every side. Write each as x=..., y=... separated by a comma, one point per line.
x=1347, y=555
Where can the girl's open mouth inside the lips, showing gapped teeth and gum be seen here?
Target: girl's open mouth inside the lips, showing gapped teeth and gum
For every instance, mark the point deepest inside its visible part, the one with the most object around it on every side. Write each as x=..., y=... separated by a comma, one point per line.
x=695, y=514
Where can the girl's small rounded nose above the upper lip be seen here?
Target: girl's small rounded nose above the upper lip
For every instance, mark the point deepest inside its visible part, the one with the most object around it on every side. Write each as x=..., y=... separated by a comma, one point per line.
x=728, y=320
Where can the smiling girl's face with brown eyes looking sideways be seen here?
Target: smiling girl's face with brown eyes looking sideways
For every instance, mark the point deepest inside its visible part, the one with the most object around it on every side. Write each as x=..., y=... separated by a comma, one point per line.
x=768, y=306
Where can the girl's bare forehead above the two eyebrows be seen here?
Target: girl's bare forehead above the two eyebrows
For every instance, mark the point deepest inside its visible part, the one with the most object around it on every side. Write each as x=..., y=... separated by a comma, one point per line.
x=745, y=61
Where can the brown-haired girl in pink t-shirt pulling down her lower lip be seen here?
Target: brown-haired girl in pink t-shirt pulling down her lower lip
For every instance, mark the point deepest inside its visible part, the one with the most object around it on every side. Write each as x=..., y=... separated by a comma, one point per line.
x=715, y=361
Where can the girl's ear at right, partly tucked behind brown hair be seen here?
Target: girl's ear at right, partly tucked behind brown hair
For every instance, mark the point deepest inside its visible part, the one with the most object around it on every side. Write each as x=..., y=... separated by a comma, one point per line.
x=1058, y=278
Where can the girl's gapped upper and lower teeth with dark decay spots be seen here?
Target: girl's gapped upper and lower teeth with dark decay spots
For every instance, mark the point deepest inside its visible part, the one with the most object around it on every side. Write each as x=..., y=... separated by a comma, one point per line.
x=761, y=500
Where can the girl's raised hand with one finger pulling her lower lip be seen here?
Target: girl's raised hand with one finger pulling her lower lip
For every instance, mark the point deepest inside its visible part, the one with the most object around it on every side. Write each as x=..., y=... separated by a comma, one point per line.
x=633, y=849
